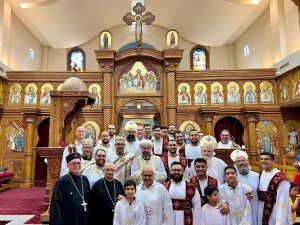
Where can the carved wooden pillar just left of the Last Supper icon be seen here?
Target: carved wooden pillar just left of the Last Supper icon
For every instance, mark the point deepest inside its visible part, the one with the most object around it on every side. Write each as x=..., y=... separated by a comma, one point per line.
x=106, y=59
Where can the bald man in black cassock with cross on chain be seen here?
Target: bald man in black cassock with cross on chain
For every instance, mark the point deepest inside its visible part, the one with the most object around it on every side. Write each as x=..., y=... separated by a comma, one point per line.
x=104, y=196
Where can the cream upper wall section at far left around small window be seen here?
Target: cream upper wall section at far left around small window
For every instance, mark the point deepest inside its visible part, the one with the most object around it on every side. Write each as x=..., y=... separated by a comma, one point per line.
x=21, y=39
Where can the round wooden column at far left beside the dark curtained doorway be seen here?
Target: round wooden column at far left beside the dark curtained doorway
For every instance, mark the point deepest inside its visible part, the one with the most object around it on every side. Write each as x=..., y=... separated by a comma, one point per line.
x=29, y=163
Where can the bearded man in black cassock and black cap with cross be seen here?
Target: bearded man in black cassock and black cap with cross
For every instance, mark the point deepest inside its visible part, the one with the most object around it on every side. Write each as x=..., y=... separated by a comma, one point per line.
x=70, y=201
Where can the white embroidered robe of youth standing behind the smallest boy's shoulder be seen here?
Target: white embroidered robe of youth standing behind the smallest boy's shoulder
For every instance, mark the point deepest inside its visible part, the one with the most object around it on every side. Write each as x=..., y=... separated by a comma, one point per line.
x=239, y=205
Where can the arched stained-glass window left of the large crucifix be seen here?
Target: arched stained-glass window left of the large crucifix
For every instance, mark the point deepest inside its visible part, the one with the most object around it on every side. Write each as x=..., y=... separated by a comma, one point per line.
x=76, y=58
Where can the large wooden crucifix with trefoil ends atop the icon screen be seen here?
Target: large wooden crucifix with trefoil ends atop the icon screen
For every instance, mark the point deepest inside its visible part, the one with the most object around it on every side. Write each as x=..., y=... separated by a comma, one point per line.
x=138, y=18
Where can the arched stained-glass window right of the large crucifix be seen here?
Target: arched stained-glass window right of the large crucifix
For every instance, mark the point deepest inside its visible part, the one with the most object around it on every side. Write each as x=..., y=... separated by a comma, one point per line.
x=199, y=58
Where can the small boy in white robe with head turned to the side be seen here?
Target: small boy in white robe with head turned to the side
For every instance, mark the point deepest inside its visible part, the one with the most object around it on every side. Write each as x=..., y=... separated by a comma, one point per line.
x=211, y=214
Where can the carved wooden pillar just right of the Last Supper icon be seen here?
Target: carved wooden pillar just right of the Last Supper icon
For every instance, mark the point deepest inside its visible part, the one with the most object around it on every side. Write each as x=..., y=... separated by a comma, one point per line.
x=172, y=58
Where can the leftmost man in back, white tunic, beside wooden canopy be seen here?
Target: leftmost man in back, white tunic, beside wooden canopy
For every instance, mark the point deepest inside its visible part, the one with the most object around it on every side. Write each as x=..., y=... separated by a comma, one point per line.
x=76, y=147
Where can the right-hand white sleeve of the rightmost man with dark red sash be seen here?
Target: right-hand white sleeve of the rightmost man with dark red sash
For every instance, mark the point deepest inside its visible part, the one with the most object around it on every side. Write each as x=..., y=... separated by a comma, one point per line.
x=282, y=207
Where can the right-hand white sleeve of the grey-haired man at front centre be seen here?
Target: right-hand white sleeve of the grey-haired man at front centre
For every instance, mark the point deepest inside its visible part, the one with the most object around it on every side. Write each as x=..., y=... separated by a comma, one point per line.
x=167, y=207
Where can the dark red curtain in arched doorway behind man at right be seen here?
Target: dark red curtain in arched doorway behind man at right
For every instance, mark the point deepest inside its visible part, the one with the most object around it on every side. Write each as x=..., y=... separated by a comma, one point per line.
x=234, y=126
